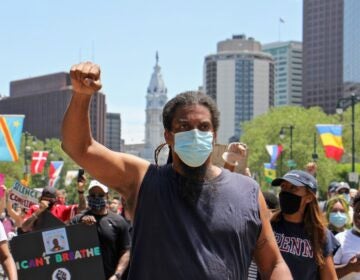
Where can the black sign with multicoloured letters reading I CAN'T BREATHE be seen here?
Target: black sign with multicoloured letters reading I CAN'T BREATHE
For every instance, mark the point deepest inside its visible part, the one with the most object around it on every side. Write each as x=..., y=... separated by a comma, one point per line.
x=59, y=254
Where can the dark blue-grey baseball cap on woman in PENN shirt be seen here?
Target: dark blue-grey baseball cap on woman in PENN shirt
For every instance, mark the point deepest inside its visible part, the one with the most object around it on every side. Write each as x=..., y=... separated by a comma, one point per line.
x=297, y=178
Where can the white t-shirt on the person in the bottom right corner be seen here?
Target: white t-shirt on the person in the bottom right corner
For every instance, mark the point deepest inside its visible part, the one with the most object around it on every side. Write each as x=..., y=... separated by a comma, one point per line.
x=349, y=247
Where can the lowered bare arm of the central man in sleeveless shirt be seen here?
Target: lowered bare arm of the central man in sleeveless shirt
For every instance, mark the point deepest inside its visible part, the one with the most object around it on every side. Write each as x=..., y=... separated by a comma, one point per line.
x=267, y=254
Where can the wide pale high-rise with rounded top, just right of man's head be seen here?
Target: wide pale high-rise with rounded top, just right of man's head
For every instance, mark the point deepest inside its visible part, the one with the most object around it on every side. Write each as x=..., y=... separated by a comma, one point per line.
x=240, y=78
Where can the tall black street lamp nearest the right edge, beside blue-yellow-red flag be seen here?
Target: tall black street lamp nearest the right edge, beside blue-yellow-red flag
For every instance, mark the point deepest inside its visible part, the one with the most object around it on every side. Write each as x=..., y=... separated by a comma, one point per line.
x=341, y=105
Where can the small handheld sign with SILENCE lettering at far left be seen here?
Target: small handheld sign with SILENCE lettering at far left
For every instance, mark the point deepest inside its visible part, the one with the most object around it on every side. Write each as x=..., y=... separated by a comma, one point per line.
x=24, y=195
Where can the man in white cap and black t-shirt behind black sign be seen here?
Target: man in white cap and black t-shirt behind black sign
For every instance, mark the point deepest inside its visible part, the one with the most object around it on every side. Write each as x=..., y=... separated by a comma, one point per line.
x=112, y=230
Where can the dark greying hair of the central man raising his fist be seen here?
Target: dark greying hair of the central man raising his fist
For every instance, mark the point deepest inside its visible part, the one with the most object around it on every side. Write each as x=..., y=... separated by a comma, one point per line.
x=190, y=98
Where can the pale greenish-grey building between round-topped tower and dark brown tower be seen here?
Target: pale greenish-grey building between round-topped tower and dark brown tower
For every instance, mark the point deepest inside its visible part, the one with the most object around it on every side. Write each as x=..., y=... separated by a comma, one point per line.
x=288, y=71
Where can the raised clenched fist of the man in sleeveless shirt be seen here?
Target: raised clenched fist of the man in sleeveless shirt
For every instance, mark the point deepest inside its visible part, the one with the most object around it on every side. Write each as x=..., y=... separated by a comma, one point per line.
x=85, y=78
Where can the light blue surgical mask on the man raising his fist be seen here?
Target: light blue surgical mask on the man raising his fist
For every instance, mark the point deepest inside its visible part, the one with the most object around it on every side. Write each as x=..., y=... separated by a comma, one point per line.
x=194, y=146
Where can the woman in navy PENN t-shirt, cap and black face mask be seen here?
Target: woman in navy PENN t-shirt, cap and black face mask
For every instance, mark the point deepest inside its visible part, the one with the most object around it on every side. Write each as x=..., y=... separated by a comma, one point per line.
x=300, y=230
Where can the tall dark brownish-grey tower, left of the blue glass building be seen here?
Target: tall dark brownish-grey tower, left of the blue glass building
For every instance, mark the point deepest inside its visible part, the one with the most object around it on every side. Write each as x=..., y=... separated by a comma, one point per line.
x=323, y=53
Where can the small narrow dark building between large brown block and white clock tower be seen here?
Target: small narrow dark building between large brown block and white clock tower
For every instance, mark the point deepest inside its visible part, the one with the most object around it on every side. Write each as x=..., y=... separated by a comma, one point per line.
x=113, y=131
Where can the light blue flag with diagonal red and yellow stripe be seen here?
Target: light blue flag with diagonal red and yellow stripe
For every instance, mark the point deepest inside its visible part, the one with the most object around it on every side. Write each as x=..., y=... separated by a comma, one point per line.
x=10, y=136
